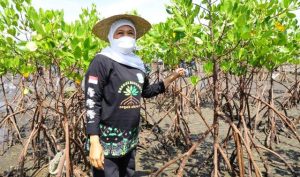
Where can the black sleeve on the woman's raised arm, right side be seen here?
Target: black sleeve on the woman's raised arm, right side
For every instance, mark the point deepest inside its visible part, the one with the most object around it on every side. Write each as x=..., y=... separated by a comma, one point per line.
x=153, y=89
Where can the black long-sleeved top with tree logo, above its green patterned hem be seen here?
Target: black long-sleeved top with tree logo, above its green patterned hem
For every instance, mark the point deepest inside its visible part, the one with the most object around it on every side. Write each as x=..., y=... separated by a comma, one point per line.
x=113, y=92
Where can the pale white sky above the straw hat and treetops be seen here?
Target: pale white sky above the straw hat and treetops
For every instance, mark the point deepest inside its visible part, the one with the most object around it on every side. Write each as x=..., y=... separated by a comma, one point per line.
x=152, y=10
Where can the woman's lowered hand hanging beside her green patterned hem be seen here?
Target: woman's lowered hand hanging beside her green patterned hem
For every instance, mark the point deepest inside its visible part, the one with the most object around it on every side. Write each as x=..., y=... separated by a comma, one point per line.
x=96, y=152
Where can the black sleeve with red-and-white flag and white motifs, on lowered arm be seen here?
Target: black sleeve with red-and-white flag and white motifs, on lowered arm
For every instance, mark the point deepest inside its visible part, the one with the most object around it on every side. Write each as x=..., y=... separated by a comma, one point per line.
x=95, y=79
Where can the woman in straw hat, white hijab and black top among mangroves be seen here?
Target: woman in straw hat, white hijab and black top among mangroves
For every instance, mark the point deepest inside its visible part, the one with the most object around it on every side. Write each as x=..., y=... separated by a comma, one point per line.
x=114, y=84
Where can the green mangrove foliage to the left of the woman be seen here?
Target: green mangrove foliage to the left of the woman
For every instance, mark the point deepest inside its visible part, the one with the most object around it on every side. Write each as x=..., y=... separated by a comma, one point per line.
x=34, y=38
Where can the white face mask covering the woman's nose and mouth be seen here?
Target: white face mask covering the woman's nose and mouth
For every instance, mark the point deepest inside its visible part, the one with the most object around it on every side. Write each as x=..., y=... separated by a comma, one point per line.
x=124, y=45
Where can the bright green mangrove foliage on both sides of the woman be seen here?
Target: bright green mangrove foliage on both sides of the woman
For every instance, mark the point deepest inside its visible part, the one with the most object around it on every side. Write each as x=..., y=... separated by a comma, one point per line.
x=240, y=34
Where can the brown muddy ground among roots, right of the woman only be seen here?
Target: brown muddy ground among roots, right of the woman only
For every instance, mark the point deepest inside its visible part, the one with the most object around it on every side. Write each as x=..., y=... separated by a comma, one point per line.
x=154, y=155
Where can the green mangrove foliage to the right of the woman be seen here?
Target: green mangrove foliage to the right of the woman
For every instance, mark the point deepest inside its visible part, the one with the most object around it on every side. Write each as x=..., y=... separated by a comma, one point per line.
x=240, y=34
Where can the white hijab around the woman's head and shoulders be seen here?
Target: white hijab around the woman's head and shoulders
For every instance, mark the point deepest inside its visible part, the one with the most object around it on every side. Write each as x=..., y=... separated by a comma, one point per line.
x=127, y=59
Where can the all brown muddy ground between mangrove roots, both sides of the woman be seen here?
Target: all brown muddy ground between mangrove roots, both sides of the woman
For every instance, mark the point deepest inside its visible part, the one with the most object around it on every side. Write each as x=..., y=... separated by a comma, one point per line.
x=152, y=153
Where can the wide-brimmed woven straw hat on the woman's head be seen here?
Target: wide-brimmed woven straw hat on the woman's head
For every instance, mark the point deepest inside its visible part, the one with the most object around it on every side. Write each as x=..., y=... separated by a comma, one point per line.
x=101, y=29
